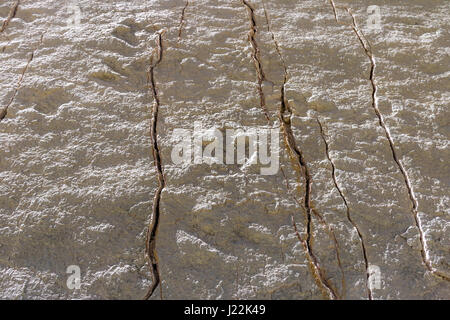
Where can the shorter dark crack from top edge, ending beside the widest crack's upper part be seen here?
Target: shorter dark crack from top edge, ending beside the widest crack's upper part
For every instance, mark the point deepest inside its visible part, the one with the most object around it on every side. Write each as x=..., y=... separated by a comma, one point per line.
x=256, y=56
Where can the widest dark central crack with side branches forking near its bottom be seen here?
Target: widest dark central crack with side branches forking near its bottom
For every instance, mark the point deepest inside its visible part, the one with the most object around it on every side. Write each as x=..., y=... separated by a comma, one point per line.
x=297, y=158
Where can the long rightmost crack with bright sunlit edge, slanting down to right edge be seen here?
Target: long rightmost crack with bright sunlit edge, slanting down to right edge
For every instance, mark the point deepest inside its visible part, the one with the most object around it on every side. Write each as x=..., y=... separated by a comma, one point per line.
x=414, y=203
